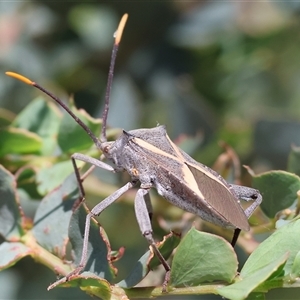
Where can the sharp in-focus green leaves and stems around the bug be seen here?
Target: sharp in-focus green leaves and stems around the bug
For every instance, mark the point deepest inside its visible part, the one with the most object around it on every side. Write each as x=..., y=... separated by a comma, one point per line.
x=202, y=263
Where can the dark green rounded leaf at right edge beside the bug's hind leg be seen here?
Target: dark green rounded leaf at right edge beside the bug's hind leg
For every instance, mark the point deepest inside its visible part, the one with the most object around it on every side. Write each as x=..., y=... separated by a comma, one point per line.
x=279, y=190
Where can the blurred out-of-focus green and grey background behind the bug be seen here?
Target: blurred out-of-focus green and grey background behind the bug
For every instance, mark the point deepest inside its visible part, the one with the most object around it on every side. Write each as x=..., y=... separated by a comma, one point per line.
x=216, y=70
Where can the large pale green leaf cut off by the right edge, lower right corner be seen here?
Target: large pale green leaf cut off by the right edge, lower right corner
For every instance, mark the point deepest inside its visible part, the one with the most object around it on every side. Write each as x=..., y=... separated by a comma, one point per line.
x=285, y=239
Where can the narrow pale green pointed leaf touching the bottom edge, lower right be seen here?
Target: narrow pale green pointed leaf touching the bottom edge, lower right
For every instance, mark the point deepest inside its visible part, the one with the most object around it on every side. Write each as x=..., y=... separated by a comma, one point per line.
x=241, y=289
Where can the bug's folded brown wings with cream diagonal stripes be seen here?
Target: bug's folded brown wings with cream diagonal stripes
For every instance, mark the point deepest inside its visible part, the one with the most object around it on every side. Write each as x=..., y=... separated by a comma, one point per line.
x=199, y=189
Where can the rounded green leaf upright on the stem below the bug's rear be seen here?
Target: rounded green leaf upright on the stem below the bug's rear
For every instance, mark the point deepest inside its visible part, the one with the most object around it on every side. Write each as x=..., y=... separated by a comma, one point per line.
x=203, y=257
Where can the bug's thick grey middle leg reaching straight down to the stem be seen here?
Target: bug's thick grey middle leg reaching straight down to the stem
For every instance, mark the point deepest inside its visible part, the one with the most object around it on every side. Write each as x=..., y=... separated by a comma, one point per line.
x=142, y=215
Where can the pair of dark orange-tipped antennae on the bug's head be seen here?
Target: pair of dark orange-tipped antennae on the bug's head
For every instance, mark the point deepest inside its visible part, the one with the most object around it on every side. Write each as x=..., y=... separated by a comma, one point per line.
x=103, y=138
